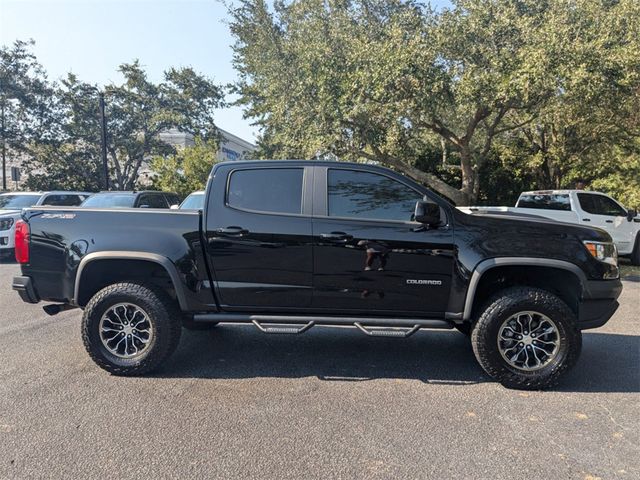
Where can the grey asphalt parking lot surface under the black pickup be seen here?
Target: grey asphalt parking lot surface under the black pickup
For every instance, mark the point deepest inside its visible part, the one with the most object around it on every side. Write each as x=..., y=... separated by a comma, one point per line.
x=235, y=403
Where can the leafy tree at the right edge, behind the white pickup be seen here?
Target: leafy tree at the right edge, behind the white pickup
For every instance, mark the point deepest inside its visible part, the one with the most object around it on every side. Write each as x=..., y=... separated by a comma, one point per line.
x=594, y=117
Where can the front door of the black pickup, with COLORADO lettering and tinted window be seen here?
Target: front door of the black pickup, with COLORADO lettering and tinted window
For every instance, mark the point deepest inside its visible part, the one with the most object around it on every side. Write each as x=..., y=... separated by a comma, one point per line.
x=369, y=256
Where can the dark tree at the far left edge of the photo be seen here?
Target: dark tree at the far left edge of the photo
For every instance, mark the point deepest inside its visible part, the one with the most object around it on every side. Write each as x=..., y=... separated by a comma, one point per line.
x=27, y=105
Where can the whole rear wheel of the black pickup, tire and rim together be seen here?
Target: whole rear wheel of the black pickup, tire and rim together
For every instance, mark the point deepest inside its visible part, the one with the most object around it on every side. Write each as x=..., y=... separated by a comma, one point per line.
x=130, y=329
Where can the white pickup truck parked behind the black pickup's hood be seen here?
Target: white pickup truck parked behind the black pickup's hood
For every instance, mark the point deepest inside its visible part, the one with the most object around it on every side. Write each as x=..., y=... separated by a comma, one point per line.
x=579, y=207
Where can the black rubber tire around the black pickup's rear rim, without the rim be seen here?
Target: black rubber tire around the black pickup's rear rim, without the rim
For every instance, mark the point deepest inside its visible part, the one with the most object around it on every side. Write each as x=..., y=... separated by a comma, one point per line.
x=163, y=314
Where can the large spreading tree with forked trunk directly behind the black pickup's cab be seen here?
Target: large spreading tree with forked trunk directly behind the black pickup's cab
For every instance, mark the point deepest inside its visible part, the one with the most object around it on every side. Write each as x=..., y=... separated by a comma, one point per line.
x=384, y=80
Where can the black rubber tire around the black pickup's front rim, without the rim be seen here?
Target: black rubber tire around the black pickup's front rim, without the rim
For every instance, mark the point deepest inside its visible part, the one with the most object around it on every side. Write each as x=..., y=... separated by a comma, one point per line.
x=484, y=337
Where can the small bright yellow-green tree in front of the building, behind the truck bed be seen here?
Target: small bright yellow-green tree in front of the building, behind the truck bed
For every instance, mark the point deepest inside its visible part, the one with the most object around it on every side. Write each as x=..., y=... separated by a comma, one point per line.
x=187, y=170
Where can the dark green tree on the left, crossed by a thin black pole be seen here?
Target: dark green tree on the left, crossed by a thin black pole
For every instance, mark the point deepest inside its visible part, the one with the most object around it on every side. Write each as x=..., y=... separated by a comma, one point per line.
x=138, y=111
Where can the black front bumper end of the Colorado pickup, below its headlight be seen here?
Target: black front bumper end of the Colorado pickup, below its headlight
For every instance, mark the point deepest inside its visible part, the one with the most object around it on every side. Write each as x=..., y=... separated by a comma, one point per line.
x=599, y=303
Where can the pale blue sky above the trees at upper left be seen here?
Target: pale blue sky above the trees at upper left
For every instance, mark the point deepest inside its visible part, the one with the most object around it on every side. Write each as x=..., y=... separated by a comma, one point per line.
x=92, y=37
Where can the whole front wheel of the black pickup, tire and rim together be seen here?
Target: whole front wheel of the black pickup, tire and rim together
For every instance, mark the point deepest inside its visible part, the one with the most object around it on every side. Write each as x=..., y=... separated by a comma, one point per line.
x=526, y=338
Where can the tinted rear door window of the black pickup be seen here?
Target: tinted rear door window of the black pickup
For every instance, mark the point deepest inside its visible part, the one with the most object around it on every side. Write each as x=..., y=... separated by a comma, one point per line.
x=270, y=190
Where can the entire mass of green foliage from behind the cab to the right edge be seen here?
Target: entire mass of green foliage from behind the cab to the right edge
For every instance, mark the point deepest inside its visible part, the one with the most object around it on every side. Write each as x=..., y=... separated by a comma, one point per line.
x=527, y=84
